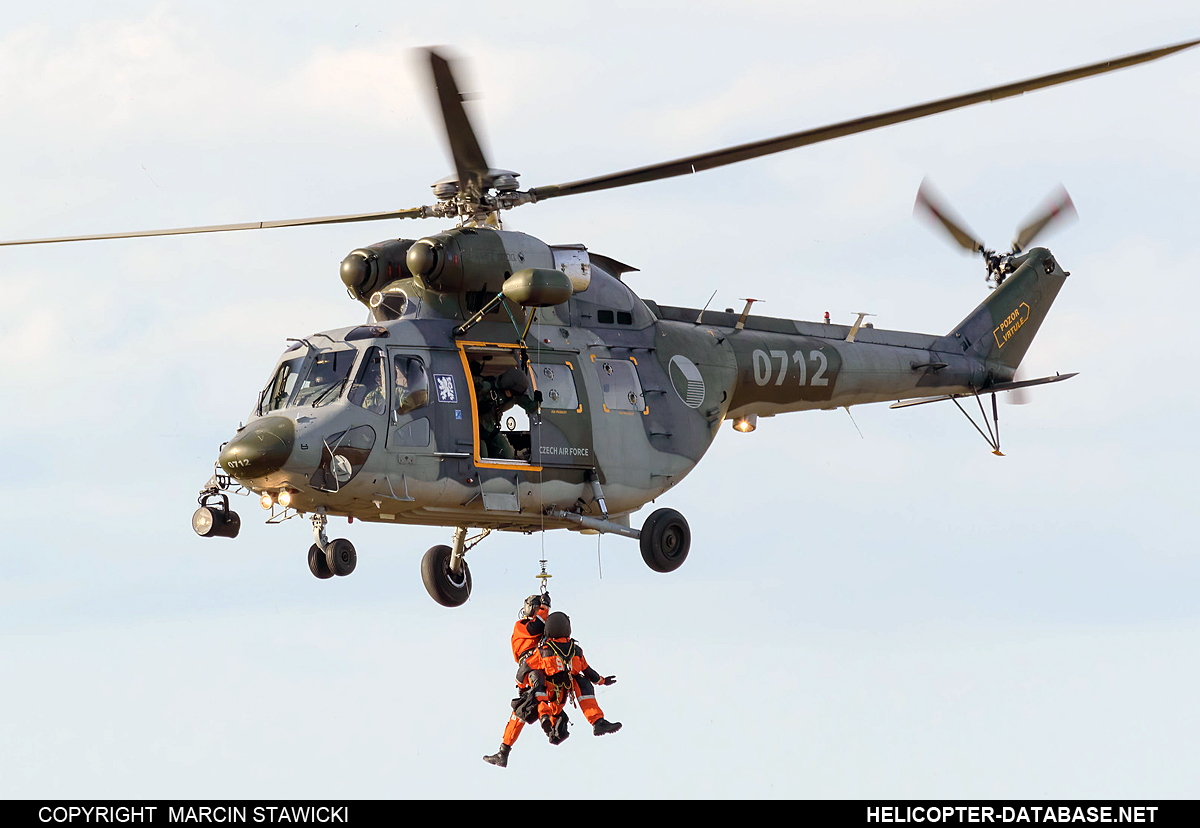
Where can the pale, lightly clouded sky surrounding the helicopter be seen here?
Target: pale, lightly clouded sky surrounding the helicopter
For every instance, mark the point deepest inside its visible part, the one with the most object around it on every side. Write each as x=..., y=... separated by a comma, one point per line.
x=898, y=614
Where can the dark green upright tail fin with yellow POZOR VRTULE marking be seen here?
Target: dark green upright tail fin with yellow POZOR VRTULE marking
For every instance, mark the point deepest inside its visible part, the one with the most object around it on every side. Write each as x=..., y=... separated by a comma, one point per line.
x=1003, y=328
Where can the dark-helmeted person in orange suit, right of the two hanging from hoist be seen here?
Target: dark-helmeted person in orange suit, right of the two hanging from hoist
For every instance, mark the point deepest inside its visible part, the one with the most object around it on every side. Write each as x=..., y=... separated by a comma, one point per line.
x=561, y=659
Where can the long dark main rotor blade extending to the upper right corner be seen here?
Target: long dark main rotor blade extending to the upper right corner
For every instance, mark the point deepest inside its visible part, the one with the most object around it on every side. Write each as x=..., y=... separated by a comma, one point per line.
x=760, y=148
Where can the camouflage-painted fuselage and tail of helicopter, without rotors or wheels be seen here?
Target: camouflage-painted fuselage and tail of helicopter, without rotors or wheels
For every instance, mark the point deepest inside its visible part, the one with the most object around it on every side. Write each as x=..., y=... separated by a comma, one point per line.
x=634, y=393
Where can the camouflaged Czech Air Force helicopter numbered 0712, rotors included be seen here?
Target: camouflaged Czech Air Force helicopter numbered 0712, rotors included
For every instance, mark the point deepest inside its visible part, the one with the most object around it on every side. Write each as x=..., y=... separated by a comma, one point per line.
x=383, y=422
